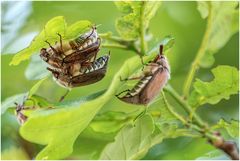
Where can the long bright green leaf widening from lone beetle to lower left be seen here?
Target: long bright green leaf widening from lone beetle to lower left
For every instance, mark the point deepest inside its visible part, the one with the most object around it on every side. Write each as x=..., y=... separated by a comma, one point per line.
x=52, y=127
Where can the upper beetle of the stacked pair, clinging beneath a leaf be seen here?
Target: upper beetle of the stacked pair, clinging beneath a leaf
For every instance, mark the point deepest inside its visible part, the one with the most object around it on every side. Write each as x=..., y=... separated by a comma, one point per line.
x=80, y=50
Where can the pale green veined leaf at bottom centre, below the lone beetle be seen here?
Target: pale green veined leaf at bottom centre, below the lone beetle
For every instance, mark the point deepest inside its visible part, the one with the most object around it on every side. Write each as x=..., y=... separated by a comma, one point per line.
x=130, y=141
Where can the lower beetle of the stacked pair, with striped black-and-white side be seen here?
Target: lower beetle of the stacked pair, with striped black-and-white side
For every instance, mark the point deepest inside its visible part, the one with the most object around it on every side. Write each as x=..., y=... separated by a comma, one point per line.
x=89, y=74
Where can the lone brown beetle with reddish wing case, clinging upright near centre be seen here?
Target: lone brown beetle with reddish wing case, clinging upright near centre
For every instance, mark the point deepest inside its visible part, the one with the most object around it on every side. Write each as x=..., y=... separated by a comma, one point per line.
x=153, y=79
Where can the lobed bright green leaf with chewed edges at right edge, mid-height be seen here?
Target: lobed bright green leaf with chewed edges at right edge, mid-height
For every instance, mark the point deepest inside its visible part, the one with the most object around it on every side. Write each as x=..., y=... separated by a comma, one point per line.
x=225, y=83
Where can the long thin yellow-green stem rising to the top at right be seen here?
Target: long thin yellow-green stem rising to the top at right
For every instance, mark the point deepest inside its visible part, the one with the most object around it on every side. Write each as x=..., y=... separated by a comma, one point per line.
x=200, y=54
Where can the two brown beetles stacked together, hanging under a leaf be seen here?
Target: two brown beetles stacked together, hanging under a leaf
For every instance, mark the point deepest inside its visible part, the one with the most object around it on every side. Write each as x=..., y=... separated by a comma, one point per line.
x=73, y=63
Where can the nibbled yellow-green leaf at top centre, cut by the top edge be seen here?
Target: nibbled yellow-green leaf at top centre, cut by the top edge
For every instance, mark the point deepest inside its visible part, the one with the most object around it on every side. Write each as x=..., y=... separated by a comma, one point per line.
x=135, y=15
